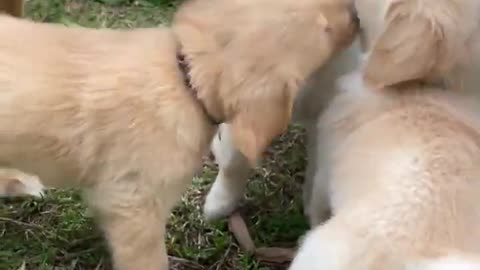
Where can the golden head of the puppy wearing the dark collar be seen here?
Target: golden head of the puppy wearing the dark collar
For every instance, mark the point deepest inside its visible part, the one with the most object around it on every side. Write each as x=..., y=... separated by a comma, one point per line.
x=249, y=58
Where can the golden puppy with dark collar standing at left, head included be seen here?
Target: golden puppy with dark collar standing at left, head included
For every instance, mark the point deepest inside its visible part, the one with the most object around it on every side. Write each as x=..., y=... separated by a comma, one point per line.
x=128, y=114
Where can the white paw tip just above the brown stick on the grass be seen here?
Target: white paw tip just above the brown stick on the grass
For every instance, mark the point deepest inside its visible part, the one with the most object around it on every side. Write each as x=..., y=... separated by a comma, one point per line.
x=220, y=202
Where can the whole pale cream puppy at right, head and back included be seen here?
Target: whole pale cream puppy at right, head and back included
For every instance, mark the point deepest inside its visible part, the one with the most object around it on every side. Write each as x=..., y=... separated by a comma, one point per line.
x=400, y=166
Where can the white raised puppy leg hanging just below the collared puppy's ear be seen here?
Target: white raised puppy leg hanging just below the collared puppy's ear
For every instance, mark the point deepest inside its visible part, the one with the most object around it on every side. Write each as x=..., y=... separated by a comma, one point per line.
x=231, y=181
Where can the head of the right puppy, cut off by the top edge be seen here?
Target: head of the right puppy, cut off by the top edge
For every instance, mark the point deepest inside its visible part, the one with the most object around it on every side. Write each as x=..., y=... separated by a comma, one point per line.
x=415, y=39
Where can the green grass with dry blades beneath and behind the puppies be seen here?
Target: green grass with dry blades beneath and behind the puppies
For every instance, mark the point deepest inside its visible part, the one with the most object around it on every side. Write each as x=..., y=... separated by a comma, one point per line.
x=56, y=233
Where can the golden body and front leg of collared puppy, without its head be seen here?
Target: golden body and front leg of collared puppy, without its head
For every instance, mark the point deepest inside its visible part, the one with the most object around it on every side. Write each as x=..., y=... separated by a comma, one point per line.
x=96, y=110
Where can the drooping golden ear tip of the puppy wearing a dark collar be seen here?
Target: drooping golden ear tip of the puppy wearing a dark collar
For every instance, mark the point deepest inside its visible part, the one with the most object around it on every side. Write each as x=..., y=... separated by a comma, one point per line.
x=258, y=122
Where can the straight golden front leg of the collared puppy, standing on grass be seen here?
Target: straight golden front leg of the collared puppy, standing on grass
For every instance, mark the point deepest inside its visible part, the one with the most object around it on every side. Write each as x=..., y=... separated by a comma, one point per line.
x=133, y=219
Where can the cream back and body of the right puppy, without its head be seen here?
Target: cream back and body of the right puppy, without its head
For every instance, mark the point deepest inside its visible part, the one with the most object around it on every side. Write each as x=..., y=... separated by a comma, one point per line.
x=401, y=169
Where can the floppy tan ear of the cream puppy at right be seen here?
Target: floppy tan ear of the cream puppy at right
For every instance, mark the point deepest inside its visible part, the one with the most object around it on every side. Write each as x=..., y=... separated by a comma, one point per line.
x=409, y=48
